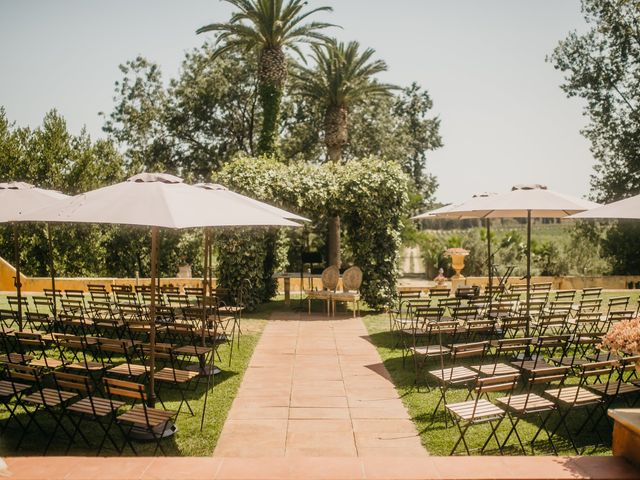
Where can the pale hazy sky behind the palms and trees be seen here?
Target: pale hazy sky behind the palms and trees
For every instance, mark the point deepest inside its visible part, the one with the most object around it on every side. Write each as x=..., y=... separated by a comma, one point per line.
x=504, y=118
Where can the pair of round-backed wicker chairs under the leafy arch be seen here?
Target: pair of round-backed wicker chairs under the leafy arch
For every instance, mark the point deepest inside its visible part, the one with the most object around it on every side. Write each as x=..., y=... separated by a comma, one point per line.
x=351, y=281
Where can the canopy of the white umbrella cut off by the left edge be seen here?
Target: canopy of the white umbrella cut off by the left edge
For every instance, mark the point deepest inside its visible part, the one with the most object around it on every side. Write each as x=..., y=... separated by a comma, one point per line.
x=18, y=198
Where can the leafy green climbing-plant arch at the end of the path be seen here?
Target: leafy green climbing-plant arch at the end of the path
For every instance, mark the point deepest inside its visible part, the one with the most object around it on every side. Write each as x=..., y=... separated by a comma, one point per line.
x=369, y=195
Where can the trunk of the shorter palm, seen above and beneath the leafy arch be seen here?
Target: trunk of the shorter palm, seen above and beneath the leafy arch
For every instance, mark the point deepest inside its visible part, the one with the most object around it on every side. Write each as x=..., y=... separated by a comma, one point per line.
x=335, y=137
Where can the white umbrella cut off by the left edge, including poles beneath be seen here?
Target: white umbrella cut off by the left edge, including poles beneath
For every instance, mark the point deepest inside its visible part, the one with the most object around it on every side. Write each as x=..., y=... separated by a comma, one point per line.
x=17, y=199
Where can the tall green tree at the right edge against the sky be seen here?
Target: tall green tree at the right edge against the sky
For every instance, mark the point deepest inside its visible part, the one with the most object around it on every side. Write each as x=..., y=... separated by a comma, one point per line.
x=602, y=66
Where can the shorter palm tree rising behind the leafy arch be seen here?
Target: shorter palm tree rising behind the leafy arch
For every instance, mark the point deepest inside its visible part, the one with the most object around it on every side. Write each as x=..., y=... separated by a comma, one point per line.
x=342, y=78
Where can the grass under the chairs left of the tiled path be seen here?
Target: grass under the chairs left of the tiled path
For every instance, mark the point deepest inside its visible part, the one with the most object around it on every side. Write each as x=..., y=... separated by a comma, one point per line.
x=189, y=440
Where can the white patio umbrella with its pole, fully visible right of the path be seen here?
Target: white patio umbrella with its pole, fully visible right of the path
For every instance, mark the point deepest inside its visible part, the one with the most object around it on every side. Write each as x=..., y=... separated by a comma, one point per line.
x=523, y=201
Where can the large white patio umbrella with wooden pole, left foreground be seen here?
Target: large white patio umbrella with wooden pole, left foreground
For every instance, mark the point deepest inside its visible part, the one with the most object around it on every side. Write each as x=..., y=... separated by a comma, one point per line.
x=158, y=201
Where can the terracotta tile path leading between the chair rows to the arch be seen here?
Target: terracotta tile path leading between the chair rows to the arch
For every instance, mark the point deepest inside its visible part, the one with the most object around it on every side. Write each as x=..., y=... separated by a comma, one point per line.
x=317, y=388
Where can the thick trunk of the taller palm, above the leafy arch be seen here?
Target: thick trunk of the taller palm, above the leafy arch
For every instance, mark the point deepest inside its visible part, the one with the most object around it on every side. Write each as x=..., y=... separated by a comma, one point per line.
x=272, y=75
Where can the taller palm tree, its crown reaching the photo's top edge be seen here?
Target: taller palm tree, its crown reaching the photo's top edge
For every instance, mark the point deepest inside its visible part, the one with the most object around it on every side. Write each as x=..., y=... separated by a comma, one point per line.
x=267, y=28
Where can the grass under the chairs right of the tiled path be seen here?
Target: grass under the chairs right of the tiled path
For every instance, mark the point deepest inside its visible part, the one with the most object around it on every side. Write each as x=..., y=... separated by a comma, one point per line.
x=439, y=439
